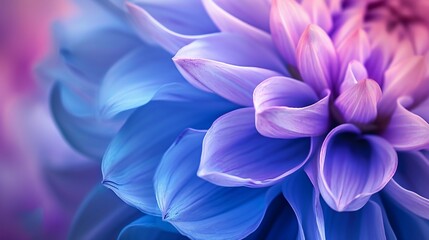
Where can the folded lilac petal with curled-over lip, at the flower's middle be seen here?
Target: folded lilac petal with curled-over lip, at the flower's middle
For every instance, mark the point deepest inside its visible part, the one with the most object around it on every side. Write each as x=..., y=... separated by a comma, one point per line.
x=287, y=108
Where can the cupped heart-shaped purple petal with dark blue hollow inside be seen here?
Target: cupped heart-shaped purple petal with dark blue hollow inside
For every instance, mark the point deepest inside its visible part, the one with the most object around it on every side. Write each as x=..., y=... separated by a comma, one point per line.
x=352, y=167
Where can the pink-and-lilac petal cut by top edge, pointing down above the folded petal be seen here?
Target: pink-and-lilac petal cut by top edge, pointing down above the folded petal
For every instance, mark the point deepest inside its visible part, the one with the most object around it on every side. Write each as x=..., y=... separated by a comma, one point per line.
x=288, y=21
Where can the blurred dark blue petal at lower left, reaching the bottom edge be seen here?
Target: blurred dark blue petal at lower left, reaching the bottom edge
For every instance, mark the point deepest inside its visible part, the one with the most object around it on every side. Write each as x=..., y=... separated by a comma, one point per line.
x=101, y=216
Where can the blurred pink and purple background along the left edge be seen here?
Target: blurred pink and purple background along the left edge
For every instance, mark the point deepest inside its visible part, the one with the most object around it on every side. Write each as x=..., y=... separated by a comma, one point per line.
x=42, y=180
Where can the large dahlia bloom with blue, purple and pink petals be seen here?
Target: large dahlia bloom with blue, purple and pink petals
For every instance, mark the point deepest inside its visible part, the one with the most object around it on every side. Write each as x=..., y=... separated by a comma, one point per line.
x=319, y=103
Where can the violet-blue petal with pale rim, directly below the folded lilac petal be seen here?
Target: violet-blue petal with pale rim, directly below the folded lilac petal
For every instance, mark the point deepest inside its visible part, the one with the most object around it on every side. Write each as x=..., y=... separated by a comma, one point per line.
x=235, y=154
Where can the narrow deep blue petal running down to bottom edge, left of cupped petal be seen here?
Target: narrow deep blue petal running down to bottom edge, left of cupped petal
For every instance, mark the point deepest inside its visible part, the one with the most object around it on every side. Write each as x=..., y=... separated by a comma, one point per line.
x=304, y=200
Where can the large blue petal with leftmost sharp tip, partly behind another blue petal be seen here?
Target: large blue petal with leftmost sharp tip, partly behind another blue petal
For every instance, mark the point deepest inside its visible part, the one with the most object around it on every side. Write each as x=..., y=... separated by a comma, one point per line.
x=130, y=162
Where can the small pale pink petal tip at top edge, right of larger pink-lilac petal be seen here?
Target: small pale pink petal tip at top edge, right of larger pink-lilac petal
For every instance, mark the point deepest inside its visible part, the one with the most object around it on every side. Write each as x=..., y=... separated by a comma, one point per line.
x=319, y=13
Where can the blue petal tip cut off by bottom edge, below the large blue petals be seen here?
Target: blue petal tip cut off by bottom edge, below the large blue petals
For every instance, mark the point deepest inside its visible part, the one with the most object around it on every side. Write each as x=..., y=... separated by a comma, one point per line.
x=150, y=228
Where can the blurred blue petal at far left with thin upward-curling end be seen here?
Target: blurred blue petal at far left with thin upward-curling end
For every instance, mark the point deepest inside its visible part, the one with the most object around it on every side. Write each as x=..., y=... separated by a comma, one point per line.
x=88, y=135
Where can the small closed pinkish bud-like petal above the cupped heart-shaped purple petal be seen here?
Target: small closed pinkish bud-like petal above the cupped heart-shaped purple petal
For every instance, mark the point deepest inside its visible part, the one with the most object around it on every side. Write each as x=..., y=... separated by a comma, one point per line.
x=358, y=104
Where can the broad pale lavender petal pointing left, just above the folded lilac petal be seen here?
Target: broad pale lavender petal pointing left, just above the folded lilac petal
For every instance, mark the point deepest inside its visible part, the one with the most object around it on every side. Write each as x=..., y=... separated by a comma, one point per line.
x=209, y=65
